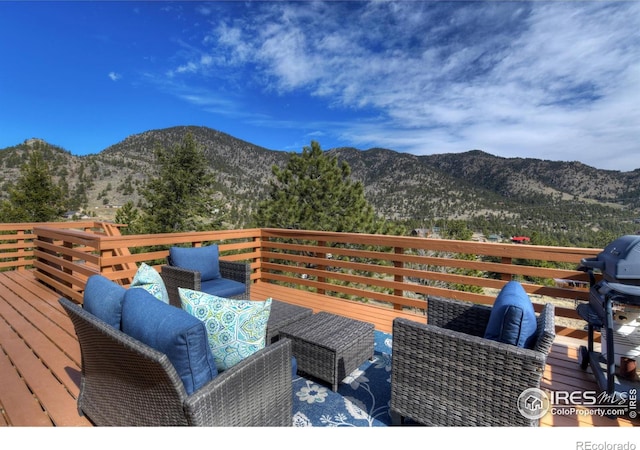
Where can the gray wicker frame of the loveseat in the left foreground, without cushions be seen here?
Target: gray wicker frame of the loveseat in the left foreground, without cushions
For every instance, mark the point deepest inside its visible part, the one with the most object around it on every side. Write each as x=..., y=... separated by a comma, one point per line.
x=127, y=383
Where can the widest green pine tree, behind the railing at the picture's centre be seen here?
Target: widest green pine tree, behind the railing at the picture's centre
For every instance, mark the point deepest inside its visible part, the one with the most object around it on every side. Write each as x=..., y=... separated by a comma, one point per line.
x=315, y=192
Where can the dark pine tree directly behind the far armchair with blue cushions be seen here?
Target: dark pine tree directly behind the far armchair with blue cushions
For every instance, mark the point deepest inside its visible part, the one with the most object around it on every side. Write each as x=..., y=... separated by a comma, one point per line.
x=181, y=197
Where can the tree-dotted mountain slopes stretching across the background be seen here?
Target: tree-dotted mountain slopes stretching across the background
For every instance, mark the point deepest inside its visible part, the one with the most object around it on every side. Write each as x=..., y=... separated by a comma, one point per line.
x=487, y=190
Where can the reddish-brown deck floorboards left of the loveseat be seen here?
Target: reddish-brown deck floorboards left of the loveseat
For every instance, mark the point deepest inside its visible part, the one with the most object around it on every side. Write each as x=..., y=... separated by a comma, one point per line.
x=36, y=343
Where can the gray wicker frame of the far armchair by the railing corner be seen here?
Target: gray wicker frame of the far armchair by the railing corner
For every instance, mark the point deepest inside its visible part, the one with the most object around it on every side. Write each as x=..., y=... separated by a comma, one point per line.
x=175, y=277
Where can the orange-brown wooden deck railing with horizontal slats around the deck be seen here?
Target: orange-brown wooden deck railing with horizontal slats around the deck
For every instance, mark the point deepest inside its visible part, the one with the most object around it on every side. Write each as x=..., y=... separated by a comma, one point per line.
x=394, y=271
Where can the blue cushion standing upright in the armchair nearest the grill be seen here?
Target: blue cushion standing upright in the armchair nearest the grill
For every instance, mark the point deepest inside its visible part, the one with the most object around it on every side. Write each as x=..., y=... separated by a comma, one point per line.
x=513, y=319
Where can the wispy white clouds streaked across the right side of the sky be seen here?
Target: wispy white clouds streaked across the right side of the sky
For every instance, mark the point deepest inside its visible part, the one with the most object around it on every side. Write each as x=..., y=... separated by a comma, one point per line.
x=555, y=80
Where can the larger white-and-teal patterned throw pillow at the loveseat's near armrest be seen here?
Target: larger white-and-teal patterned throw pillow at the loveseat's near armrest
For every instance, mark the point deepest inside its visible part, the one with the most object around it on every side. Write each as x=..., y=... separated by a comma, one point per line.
x=236, y=328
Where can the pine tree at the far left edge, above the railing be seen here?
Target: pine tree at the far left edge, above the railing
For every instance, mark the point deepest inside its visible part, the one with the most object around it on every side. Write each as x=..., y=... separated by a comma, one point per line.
x=34, y=197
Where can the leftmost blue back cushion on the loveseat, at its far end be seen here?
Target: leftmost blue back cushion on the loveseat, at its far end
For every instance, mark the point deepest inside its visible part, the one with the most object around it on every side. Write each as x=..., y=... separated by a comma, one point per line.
x=103, y=298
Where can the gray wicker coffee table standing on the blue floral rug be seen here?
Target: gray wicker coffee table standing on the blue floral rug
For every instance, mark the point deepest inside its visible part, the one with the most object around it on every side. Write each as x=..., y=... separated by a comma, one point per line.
x=329, y=347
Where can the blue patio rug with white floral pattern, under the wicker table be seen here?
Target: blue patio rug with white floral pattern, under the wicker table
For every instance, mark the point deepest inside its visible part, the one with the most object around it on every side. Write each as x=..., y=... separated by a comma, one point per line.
x=362, y=399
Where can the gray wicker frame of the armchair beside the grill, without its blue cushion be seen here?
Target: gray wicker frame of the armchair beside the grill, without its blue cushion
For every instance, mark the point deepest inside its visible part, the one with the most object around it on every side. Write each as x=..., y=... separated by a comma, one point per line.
x=445, y=373
